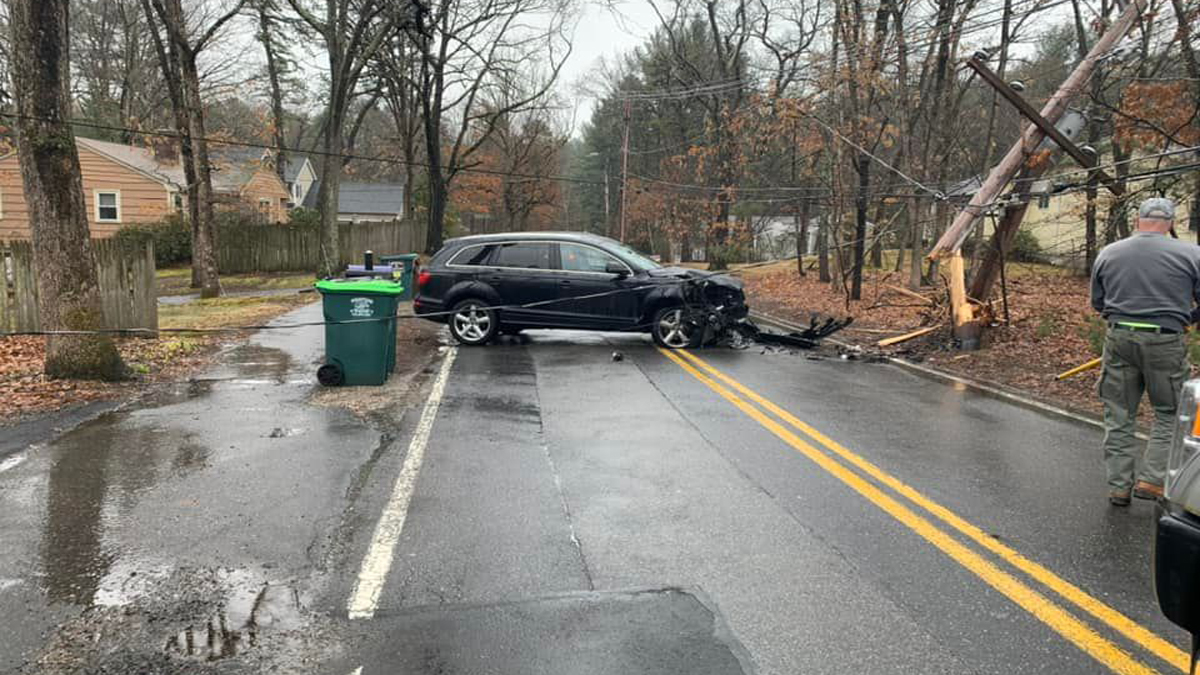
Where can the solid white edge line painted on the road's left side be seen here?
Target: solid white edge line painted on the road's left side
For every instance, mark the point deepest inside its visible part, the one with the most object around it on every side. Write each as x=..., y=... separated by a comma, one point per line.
x=377, y=564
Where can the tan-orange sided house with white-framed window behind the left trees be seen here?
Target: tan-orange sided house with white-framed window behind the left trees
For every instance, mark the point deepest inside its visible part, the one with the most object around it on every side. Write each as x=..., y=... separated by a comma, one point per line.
x=128, y=184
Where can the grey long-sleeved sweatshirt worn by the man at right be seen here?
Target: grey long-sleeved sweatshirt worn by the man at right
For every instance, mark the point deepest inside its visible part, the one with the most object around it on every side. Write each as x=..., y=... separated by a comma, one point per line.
x=1149, y=279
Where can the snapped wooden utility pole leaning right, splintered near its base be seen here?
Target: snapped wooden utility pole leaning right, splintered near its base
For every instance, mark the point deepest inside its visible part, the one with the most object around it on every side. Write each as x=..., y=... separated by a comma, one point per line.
x=967, y=327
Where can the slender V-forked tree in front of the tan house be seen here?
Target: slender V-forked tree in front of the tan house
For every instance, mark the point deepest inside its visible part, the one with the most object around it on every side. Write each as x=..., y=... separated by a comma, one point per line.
x=178, y=53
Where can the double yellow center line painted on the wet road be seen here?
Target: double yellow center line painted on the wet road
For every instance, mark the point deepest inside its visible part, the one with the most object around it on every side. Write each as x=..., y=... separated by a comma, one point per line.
x=1036, y=604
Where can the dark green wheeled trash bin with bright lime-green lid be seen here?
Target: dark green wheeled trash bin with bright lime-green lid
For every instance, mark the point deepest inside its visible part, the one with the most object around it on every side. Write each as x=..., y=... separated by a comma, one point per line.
x=363, y=351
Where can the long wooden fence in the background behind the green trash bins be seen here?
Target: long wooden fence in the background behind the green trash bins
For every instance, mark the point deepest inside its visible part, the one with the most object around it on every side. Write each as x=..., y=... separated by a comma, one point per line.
x=283, y=248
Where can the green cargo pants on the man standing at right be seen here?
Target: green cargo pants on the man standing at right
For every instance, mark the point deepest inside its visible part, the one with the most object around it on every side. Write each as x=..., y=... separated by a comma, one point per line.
x=1137, y=362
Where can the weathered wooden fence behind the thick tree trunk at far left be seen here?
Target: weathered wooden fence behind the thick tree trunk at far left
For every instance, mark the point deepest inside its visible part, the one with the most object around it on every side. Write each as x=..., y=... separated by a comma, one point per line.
x=127, y=276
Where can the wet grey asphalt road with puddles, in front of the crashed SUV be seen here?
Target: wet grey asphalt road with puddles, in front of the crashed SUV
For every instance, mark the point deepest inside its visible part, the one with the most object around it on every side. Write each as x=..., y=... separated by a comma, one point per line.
x=578, y=515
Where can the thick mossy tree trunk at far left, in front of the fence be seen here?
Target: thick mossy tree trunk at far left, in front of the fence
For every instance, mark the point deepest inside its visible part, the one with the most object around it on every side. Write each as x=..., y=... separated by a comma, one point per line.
x=69, y=292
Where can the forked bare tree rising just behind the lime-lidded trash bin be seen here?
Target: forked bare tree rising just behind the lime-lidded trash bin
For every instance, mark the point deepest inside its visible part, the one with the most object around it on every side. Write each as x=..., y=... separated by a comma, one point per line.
x=353, y=32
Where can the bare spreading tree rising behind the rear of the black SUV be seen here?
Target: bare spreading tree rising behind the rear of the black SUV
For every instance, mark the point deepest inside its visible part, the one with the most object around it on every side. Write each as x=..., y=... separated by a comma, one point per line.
x=467, y=50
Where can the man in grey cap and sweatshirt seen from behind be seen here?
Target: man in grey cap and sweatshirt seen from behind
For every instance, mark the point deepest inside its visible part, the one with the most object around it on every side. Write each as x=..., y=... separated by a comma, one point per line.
x=1145, y=286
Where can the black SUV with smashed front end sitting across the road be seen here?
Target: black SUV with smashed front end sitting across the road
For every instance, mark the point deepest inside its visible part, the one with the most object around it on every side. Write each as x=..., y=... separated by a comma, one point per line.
x=565, y=280
